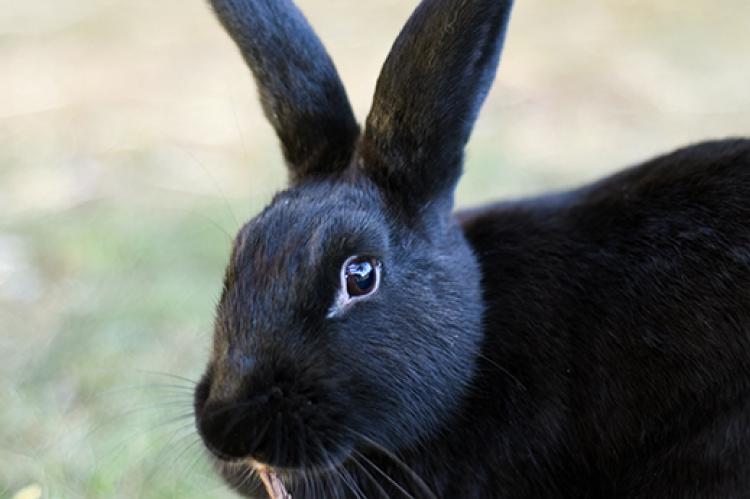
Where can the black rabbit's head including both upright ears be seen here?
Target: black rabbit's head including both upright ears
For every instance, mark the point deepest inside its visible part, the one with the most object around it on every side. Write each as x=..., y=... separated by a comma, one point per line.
x=351, y=310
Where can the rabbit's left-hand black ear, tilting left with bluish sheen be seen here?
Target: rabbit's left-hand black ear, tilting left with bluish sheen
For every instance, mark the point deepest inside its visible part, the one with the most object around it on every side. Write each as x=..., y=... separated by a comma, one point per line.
x=299, y=87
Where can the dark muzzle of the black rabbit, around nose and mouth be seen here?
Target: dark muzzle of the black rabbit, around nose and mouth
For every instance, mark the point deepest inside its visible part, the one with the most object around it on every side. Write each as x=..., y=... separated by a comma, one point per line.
x=272, y=413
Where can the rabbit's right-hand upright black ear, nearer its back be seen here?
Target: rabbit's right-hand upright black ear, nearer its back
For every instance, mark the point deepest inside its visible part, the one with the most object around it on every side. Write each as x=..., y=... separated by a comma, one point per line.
x=428, y=97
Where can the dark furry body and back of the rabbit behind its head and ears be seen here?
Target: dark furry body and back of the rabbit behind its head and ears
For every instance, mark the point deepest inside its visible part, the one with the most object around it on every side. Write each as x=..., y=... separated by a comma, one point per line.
x=620, y=315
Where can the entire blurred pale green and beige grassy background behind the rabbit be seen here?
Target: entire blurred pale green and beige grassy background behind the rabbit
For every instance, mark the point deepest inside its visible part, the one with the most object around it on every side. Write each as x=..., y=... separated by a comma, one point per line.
x=132, y=148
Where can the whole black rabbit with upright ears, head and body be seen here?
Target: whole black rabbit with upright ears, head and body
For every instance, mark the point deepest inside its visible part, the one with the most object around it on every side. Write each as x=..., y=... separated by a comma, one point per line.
x=370, y=343
